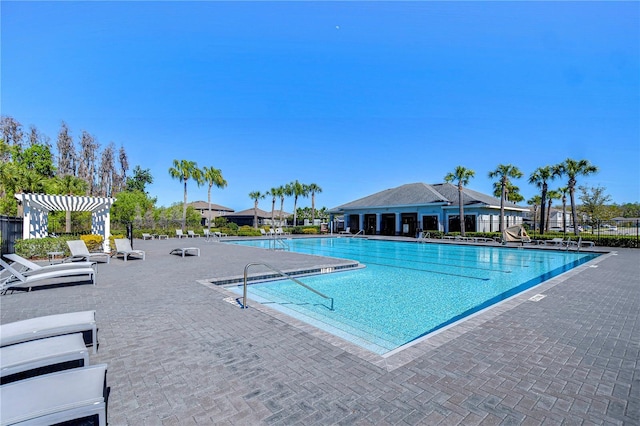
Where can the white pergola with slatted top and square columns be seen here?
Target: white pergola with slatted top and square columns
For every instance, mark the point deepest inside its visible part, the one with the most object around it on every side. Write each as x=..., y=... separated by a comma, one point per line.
x=37, y=208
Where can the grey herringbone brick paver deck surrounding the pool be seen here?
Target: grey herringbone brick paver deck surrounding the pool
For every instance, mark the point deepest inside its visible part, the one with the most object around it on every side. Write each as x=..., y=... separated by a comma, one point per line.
x=179, y=353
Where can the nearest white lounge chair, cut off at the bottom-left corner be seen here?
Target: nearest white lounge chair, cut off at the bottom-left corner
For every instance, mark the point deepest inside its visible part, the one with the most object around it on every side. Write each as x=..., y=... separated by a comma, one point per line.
x=59, y=397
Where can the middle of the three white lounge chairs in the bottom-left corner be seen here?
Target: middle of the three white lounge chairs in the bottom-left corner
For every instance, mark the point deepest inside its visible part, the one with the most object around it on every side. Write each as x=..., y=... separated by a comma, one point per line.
x=43, y=356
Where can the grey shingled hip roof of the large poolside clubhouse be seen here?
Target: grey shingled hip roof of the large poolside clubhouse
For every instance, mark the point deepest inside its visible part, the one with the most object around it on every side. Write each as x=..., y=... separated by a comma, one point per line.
x=419, y=194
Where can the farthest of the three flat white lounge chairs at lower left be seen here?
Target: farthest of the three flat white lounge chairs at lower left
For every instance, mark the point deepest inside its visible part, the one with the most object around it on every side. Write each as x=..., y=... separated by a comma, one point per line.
x=51, y=325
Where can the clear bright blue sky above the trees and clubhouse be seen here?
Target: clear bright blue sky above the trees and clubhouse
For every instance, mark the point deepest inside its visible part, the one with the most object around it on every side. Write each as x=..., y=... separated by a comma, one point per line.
x=356, y=97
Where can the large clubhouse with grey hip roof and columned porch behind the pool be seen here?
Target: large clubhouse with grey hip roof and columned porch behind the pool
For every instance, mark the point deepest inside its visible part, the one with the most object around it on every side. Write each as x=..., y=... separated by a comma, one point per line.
x=407, y=208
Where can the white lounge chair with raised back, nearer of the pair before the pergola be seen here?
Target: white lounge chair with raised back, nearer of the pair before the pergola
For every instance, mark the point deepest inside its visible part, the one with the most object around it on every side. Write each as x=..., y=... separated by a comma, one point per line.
x=27, y=280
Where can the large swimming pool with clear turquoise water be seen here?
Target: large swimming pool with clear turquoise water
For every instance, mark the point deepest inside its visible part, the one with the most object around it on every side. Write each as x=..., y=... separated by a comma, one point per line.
x=407, y=290
